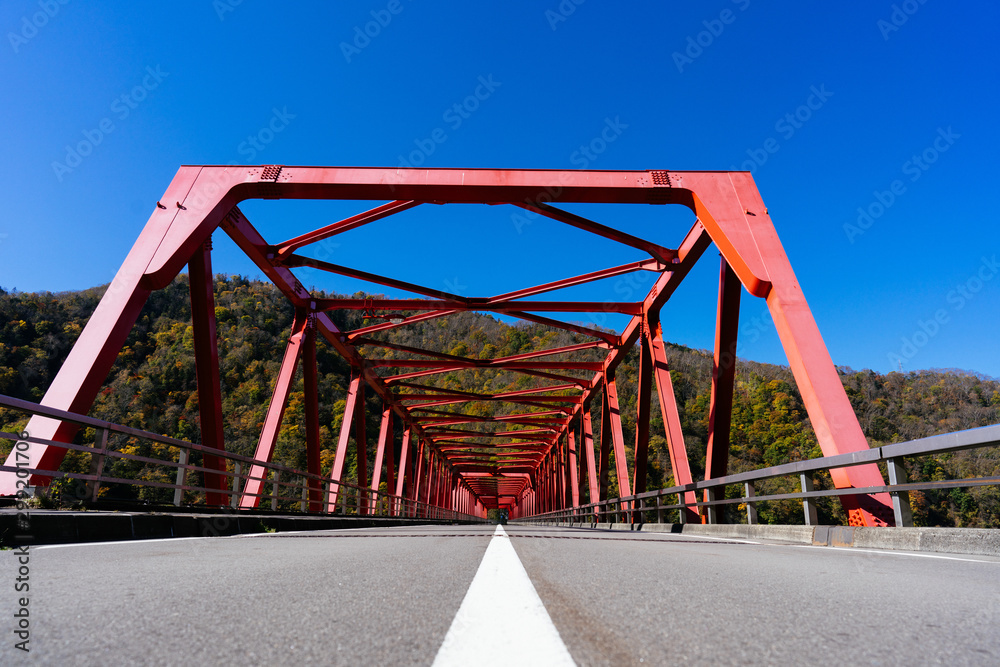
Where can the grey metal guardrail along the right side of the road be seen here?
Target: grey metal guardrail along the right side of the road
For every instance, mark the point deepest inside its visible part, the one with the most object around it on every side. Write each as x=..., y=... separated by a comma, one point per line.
x=633, y=508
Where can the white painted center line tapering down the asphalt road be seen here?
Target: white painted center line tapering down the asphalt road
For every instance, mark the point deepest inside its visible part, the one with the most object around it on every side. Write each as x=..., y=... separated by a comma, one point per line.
x=502, y=621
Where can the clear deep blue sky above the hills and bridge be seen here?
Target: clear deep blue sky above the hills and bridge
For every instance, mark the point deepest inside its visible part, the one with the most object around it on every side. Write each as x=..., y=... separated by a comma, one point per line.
x=706, y=85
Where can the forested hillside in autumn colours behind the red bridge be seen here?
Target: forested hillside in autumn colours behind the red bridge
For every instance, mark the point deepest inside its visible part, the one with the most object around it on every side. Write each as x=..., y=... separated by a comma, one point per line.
x=152, y=386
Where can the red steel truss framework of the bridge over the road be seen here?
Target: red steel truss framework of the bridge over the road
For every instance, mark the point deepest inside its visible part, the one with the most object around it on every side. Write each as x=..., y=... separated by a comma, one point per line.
x=537, y=453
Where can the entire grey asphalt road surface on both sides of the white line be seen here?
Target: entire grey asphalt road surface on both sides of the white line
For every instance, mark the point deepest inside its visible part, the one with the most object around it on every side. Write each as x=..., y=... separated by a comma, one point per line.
x=388, y=596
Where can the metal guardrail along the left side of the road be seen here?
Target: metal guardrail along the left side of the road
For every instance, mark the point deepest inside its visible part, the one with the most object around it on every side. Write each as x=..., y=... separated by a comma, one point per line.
x=289, y=487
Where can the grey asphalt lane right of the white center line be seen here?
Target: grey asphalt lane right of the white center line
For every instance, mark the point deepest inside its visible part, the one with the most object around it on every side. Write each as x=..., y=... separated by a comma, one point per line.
x=621, y=598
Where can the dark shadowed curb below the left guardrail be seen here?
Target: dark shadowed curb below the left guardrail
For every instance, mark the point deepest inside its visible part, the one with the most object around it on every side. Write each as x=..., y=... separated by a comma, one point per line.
x=58, y=527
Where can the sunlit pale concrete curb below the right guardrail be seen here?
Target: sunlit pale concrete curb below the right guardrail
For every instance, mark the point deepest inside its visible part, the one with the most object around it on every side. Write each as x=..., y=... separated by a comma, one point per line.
x=974, y=541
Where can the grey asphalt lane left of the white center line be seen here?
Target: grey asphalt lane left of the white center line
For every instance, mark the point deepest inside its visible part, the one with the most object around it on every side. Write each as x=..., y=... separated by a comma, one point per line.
x=370, y=597
